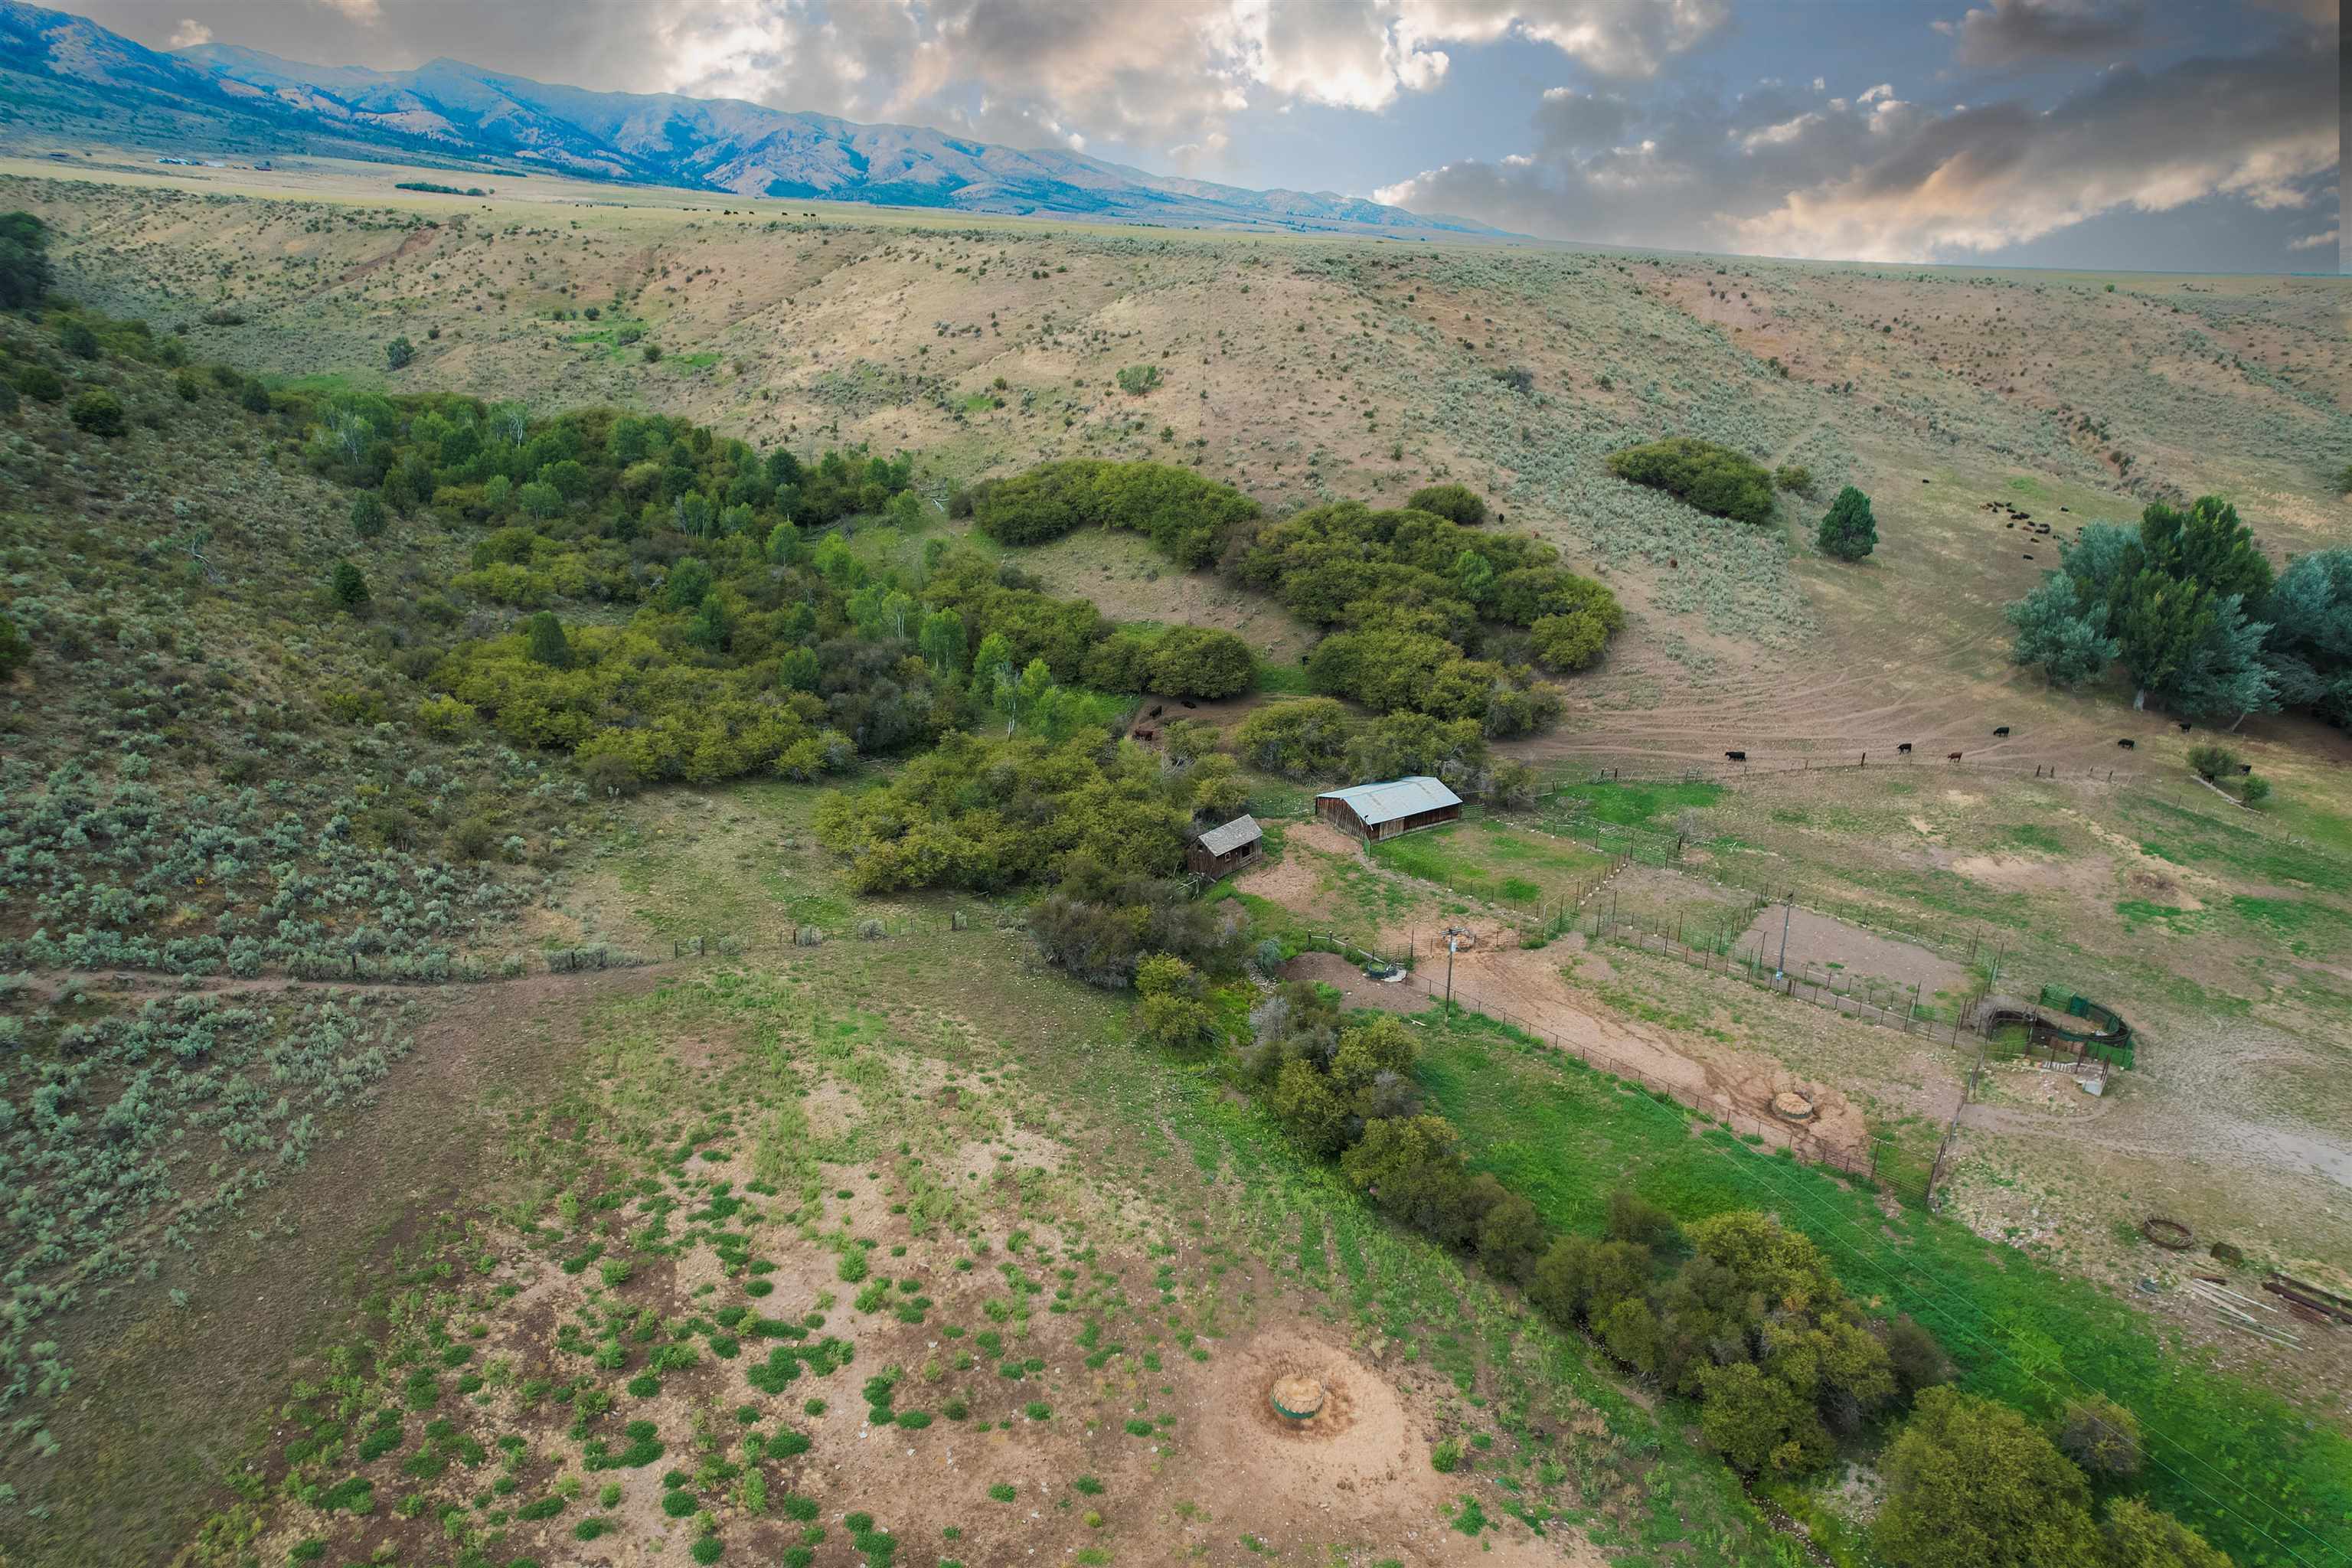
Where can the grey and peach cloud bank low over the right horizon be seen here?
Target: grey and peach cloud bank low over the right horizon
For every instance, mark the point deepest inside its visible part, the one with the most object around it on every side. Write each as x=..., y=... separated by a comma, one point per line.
x=1897, y=182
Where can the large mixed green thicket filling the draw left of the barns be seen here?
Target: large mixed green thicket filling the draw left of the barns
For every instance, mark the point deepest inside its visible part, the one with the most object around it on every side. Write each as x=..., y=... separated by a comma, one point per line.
x=756, y=636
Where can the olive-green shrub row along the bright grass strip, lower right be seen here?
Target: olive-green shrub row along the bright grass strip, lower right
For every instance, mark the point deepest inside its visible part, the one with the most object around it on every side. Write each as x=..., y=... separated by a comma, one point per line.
x=1735, y=1313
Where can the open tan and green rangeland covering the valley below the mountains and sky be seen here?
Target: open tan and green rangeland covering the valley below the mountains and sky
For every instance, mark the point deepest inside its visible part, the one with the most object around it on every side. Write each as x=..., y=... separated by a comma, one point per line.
x=434, y=1146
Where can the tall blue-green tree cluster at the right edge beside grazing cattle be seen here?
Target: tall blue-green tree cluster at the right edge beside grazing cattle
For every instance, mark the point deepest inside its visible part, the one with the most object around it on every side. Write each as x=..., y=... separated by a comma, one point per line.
x=2196, y=615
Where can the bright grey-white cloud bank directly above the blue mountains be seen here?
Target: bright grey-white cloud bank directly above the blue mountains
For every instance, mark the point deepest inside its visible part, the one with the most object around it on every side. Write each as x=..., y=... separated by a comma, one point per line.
x=1163, y=76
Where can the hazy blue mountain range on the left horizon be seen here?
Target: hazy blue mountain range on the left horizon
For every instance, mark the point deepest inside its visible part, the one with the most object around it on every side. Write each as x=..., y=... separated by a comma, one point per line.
x=65, y=76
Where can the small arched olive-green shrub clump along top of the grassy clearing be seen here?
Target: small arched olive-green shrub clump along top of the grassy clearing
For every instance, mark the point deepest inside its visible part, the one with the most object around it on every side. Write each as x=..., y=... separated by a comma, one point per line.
x=1182, y=514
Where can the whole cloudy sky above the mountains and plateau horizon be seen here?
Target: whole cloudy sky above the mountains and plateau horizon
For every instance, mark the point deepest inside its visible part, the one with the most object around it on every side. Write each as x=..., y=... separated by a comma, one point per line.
x=2012, y=133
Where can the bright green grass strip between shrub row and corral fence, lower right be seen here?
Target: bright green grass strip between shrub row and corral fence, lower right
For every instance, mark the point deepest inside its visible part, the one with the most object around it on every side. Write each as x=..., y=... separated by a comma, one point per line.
x=2252, y=1473
